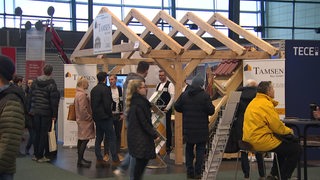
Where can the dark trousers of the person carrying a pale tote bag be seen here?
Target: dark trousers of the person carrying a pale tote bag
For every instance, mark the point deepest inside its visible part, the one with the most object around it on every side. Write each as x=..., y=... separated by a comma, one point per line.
x=42, y=126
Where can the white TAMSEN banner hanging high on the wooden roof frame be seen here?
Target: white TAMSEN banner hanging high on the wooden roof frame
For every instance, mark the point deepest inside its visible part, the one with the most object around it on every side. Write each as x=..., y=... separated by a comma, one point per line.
x=102, y=34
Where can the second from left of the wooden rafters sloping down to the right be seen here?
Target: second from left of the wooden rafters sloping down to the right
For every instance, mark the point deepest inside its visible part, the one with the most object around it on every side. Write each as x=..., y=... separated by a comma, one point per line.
x=176, y=47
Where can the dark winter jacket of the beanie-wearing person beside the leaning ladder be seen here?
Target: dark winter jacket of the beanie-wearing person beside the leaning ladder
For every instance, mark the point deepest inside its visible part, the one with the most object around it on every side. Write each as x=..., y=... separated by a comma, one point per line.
x=195, y=105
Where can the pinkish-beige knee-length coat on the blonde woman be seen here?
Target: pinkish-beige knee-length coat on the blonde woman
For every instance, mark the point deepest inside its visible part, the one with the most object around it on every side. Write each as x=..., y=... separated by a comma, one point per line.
x=84, y=119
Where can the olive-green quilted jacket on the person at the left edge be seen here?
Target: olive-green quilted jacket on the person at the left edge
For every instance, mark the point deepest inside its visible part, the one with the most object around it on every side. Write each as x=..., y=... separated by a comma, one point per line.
x=12, y=118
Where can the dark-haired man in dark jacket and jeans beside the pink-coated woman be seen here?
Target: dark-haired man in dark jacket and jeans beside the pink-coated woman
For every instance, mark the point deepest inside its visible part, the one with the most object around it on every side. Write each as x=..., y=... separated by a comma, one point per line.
x=101, y=102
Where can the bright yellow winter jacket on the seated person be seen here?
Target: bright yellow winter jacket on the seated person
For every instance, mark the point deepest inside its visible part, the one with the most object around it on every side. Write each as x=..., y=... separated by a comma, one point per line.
x=261, y=121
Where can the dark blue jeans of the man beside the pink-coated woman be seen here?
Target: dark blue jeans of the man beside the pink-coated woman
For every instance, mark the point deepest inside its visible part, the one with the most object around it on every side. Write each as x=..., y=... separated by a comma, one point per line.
x=105, y=127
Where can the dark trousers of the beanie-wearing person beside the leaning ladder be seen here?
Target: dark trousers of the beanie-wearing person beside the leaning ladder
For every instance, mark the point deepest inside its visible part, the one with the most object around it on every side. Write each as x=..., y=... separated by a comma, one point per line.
x=200, y=151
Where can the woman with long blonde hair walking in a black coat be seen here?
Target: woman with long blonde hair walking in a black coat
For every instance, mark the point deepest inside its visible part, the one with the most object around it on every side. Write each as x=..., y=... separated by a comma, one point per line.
x=141, y=134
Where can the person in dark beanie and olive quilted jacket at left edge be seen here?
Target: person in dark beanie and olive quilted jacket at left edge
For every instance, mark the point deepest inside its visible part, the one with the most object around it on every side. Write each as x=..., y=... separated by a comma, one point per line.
x=11, y=115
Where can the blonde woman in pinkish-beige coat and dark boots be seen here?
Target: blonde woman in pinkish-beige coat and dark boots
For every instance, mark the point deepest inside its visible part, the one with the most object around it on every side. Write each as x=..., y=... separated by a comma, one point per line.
x=84, y=120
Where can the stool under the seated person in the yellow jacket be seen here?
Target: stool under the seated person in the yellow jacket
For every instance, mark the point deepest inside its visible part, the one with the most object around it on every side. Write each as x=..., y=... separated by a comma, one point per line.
x=248, y=148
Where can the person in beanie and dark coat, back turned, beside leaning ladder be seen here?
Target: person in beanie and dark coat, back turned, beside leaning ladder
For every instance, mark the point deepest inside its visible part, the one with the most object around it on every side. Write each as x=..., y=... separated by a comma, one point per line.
x=195, y=105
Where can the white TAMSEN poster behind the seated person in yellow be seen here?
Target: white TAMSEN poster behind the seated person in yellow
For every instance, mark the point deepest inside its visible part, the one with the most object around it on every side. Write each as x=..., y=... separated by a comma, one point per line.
x=268, y=70
